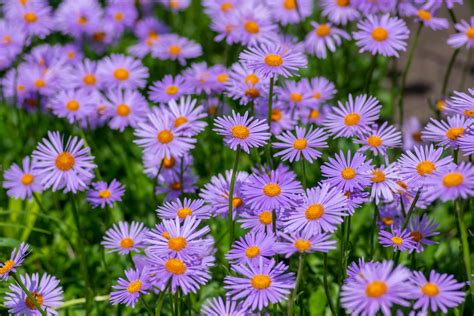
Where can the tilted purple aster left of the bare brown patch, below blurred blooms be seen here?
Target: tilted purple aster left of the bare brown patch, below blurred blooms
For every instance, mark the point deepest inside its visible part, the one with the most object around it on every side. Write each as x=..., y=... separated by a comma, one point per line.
x=354, y=117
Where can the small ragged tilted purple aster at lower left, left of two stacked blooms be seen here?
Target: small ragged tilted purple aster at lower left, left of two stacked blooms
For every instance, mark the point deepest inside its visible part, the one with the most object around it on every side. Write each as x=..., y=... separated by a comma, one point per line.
x=128, y=290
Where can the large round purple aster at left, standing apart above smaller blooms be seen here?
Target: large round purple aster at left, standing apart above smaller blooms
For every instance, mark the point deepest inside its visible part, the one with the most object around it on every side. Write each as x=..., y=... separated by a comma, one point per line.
x=60, y=166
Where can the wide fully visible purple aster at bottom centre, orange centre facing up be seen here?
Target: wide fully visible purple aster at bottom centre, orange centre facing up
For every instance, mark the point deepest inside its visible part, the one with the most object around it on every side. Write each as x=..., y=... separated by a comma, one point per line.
x=269, y=283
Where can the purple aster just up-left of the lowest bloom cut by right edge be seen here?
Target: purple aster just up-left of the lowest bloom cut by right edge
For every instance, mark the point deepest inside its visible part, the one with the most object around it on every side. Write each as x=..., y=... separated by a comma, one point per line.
x=418, y=164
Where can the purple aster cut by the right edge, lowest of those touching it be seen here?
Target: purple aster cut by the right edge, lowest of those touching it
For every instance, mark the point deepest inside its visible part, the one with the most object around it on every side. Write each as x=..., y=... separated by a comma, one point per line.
x=453, y=182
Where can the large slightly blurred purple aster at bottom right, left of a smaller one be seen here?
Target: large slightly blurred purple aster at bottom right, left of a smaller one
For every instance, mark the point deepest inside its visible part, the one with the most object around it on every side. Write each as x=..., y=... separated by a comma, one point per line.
x=377, y=287
